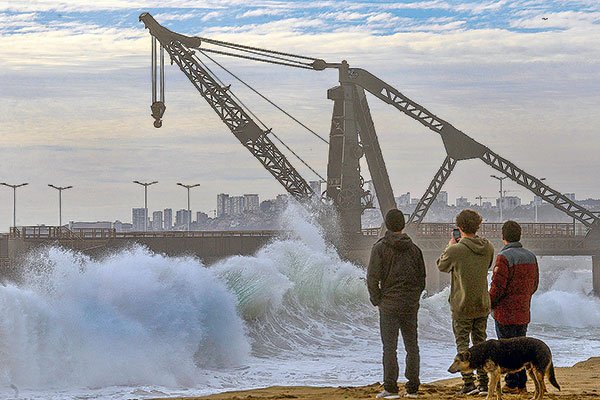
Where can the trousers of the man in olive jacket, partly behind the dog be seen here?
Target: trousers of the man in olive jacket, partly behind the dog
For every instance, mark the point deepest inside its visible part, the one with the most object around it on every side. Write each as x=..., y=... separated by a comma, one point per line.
x=465, y=331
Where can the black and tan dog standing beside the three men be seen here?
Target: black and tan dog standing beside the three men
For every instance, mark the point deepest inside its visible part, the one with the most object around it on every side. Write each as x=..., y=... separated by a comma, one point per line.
x=497, y=357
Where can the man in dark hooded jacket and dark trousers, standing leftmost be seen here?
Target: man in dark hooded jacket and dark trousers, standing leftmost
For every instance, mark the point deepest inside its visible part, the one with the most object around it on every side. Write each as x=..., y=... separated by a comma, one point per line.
x=396, y=279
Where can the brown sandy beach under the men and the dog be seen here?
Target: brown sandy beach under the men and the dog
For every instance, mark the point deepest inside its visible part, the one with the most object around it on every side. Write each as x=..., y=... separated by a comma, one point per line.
x=581, y=381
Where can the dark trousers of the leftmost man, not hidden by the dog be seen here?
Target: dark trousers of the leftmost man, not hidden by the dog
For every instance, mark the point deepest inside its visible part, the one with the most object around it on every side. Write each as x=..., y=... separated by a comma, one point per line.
x=390, y=325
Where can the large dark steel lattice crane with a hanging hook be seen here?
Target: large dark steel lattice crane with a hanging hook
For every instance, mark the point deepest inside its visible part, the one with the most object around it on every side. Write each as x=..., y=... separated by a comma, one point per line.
x=352, y=133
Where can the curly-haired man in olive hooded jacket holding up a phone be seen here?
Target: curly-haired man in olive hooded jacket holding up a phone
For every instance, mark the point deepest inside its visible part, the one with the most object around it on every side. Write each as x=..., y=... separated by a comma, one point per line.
x=468, y=260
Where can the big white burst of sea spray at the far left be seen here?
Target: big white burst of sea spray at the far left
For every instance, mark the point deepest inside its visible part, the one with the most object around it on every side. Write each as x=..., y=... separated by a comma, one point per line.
x=131, y=318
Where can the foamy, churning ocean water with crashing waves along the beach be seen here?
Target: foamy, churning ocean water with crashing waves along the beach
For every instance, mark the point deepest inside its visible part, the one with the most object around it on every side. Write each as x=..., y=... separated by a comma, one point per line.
x=138, y=325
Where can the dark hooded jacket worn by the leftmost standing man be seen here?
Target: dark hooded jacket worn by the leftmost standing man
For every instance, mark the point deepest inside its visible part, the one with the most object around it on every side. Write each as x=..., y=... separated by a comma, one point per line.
x=396, y=274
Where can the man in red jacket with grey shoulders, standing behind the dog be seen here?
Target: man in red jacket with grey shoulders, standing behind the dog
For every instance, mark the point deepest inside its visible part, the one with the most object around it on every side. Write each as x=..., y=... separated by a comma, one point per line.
x=514, y=281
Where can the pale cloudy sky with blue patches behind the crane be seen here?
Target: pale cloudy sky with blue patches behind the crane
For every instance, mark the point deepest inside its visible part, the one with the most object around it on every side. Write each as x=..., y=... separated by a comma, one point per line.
x=521, y=77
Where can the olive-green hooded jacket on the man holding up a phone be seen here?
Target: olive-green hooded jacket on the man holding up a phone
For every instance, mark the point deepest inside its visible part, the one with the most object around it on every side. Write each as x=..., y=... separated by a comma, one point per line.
x=468, y=262
